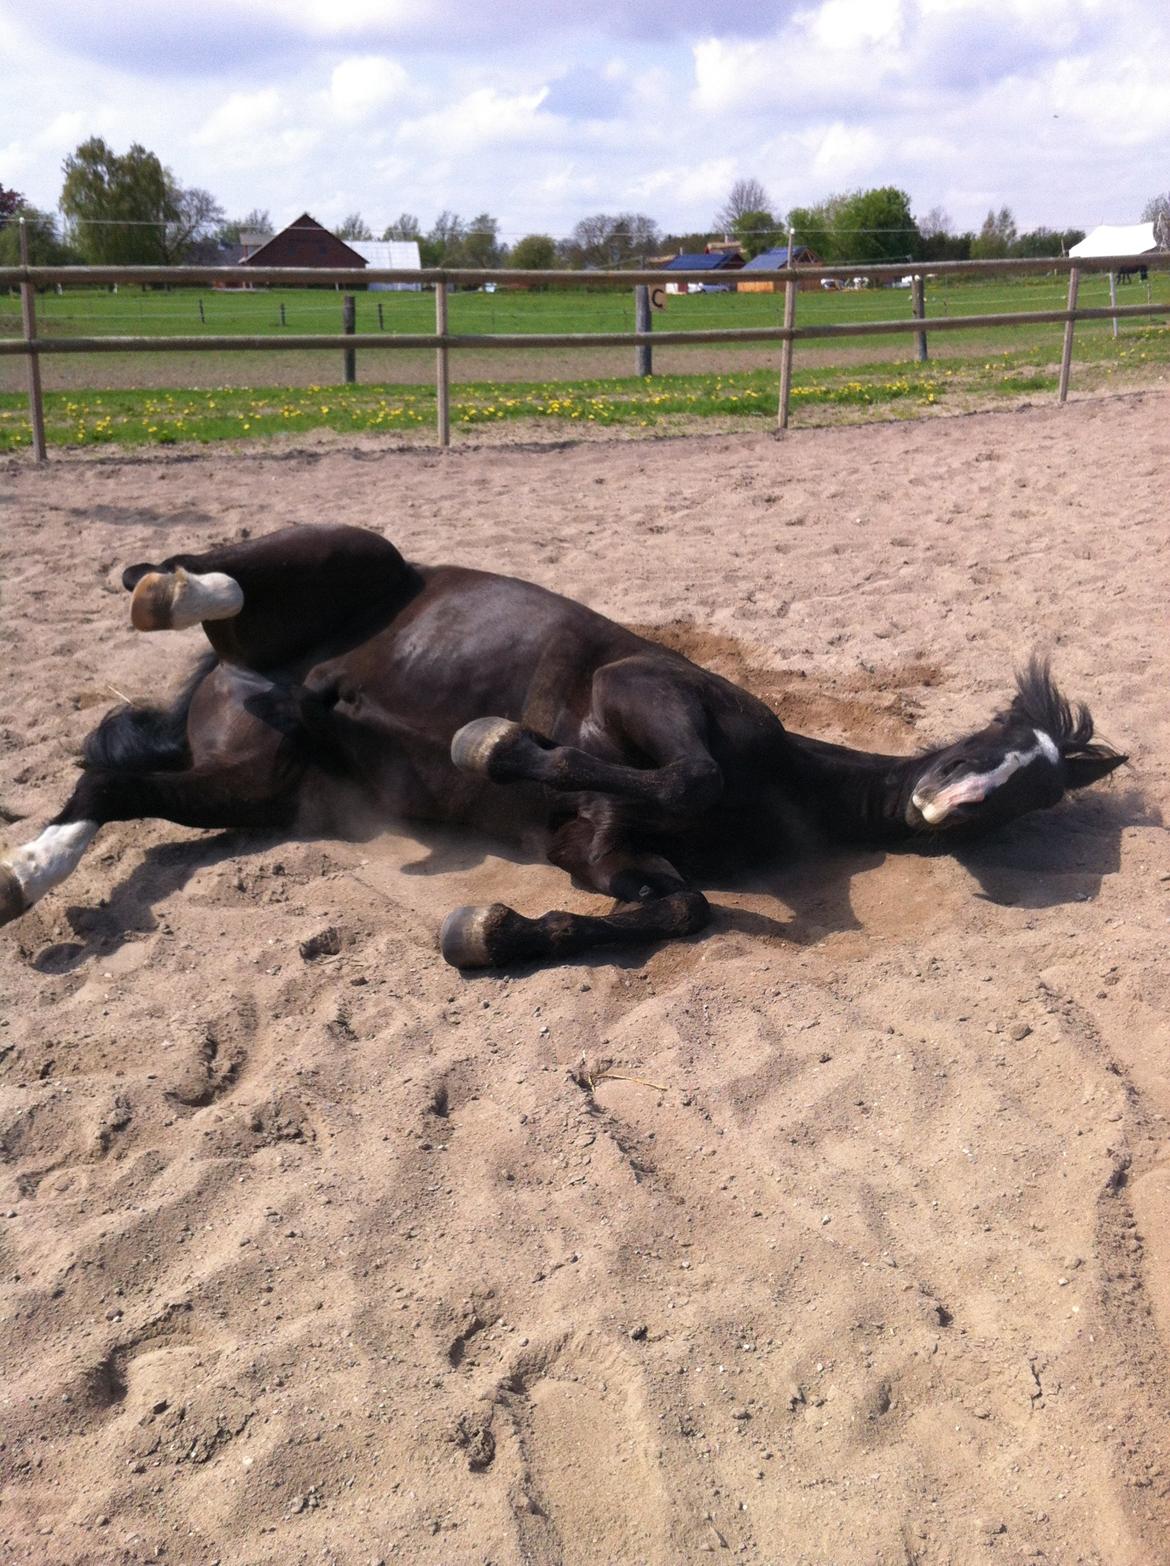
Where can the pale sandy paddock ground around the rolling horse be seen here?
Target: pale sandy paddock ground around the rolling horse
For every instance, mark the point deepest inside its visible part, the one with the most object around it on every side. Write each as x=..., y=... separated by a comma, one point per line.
x=862, y=1250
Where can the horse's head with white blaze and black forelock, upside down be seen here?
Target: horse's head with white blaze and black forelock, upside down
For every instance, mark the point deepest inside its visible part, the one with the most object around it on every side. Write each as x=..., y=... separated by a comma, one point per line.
x=1027, y=759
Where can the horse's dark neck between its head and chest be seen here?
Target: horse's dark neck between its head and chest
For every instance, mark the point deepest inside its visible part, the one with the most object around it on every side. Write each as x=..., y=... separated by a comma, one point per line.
x=854, y=795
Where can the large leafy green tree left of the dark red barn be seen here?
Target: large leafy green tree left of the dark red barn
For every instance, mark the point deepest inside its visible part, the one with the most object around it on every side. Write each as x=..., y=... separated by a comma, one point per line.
x=121, y=204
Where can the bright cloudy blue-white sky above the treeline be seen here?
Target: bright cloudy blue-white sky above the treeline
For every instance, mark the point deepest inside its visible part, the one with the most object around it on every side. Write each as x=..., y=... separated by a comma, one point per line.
x=544, y=112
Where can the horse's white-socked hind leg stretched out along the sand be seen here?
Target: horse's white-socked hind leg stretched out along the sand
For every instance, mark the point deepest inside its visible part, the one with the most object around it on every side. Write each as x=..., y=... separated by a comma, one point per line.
x=214, y=796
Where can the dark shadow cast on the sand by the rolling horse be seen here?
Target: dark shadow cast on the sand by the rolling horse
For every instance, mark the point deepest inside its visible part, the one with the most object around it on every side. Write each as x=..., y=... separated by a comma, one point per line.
x=1039, y=862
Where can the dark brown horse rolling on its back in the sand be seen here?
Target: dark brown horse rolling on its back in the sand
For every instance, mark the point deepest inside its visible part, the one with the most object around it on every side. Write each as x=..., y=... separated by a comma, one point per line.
x=344, y=676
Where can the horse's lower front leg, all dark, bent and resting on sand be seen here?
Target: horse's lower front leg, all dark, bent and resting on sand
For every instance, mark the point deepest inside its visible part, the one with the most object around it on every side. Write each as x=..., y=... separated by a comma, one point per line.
x=665, y=907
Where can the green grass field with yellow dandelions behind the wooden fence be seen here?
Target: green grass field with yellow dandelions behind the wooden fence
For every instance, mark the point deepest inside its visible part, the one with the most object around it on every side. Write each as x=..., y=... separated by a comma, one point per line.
x=129, y=400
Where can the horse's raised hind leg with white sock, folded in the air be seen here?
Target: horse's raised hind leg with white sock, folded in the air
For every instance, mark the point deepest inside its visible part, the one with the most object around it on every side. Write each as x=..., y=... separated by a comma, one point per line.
x=265, y=602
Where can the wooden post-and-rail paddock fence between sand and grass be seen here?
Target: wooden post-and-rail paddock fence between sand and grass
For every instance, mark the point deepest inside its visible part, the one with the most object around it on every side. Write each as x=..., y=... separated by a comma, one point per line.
x=32, y=347
